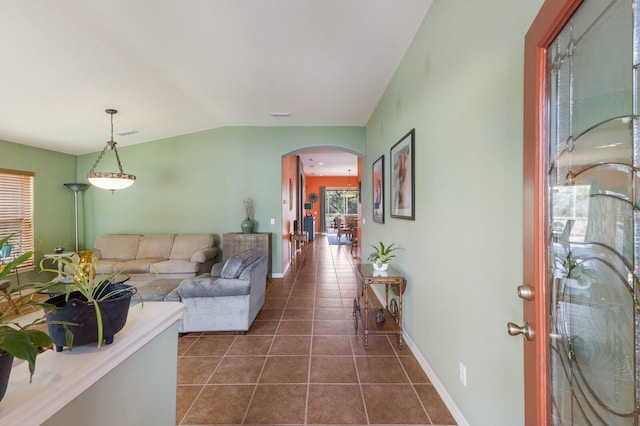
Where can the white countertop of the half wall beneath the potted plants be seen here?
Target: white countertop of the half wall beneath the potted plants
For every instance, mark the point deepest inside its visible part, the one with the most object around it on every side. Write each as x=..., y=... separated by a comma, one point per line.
x=62, y=376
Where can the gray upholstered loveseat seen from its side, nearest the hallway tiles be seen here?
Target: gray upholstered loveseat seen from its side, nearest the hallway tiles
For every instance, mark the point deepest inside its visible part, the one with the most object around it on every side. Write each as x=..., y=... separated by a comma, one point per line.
x=226, y=299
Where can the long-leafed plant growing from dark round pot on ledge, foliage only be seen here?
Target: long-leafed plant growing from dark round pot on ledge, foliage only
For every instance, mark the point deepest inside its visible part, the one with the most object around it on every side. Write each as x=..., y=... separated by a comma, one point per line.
x=92, y=288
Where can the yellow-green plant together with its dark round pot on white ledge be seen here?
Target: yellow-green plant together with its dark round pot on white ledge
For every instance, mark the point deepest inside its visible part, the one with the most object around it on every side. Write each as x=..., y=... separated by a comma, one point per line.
x=87, y=308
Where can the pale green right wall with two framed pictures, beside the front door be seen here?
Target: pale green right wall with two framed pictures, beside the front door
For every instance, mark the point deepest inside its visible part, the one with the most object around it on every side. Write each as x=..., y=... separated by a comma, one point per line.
x=460, y=86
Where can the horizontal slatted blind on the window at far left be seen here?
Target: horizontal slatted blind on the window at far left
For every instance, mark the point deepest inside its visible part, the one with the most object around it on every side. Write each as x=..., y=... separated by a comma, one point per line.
x=16, y=212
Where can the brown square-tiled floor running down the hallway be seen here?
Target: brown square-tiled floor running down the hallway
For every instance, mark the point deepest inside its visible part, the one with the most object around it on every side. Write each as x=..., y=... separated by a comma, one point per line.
x=302, y=361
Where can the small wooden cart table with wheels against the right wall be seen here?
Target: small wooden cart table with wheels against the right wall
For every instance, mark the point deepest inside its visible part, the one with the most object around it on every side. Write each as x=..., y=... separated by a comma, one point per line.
x=393, y=317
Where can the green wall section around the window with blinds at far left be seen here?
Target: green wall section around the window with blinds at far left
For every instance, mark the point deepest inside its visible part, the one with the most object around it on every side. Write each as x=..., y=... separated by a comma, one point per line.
x=53, y=205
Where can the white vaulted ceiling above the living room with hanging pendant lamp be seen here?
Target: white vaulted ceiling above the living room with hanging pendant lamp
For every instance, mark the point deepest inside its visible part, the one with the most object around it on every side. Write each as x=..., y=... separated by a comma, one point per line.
x=173, y=67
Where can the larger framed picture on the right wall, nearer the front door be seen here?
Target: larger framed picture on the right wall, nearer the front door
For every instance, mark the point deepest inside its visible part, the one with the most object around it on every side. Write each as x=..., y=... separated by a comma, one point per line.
x=403, y=177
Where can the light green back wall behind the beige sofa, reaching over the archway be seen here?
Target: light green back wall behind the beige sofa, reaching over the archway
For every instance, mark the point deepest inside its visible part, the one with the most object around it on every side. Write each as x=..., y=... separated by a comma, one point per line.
x=196, y=182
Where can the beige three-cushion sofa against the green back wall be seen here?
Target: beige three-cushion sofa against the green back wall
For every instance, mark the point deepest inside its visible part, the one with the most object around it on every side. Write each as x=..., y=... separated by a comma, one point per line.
x=148, y=257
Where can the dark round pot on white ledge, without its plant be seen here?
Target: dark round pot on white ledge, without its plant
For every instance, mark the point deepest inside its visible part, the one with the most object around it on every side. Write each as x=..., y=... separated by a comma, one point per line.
x=82, y=314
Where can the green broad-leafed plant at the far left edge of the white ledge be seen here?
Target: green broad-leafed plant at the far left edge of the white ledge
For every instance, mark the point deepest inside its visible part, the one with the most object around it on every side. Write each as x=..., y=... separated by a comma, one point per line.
x=18, y=340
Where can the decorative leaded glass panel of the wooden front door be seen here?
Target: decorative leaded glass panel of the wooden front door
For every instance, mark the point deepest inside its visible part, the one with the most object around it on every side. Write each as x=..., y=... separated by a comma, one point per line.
x=593, y=218
